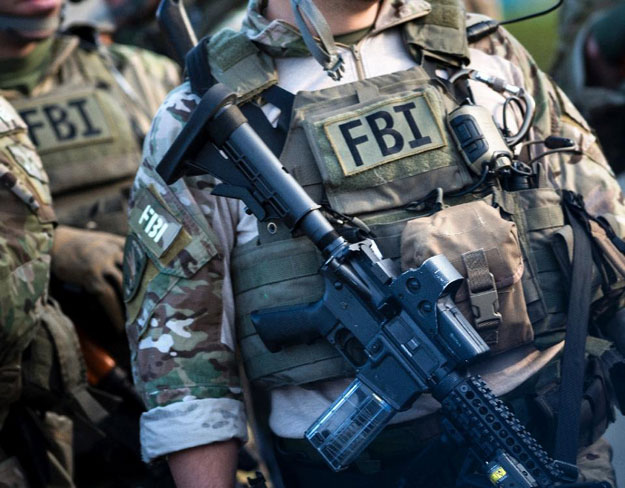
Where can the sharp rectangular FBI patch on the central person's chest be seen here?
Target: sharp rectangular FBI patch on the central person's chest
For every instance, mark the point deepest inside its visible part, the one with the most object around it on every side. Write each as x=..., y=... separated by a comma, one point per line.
x=387, y=131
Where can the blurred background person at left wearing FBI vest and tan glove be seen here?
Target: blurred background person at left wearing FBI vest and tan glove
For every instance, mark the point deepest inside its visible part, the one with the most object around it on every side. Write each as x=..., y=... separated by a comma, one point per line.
x=87, y=108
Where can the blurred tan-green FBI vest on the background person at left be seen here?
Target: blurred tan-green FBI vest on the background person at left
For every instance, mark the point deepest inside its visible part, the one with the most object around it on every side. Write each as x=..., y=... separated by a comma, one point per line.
x=87, y=136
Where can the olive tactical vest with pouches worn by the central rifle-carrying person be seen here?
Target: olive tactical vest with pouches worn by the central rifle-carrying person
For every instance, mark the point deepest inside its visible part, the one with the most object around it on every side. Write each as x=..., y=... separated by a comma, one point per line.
x=369, y=149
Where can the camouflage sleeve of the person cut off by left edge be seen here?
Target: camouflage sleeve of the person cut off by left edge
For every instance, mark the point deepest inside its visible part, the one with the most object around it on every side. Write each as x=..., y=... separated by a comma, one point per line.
x=26, y=226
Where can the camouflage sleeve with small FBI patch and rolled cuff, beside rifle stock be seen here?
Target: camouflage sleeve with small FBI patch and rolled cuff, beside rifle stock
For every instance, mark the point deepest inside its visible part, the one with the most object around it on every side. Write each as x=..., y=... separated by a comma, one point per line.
x=179, y=301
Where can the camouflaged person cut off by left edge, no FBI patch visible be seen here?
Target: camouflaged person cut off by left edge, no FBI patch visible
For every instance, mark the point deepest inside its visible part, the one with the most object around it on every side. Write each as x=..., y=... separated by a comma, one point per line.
x=27, y=315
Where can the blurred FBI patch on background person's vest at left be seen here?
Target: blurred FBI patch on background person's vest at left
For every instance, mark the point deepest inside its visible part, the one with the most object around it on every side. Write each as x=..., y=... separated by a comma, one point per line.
x=58, y=122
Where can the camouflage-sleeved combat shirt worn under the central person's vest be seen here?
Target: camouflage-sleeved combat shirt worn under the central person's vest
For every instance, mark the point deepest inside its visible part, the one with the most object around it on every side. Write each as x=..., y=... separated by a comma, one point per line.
x=179, y=288
